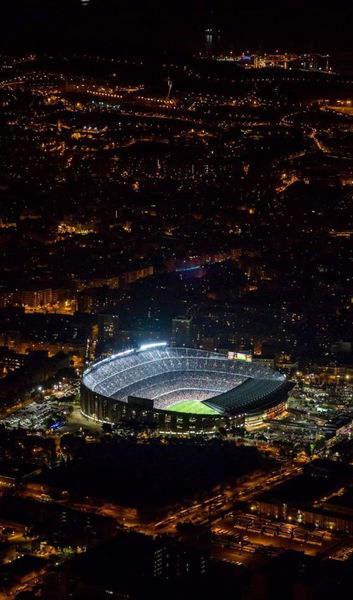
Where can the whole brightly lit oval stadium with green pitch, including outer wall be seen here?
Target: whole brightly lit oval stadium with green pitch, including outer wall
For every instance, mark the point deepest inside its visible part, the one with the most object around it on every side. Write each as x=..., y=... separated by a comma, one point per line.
x=181, y=389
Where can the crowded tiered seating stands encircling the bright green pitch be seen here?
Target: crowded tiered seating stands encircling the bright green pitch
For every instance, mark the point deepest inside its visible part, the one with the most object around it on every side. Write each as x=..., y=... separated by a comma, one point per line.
x=170, y=375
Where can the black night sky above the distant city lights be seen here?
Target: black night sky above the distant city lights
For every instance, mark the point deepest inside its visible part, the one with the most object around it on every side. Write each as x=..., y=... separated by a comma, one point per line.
x=156, y=25
